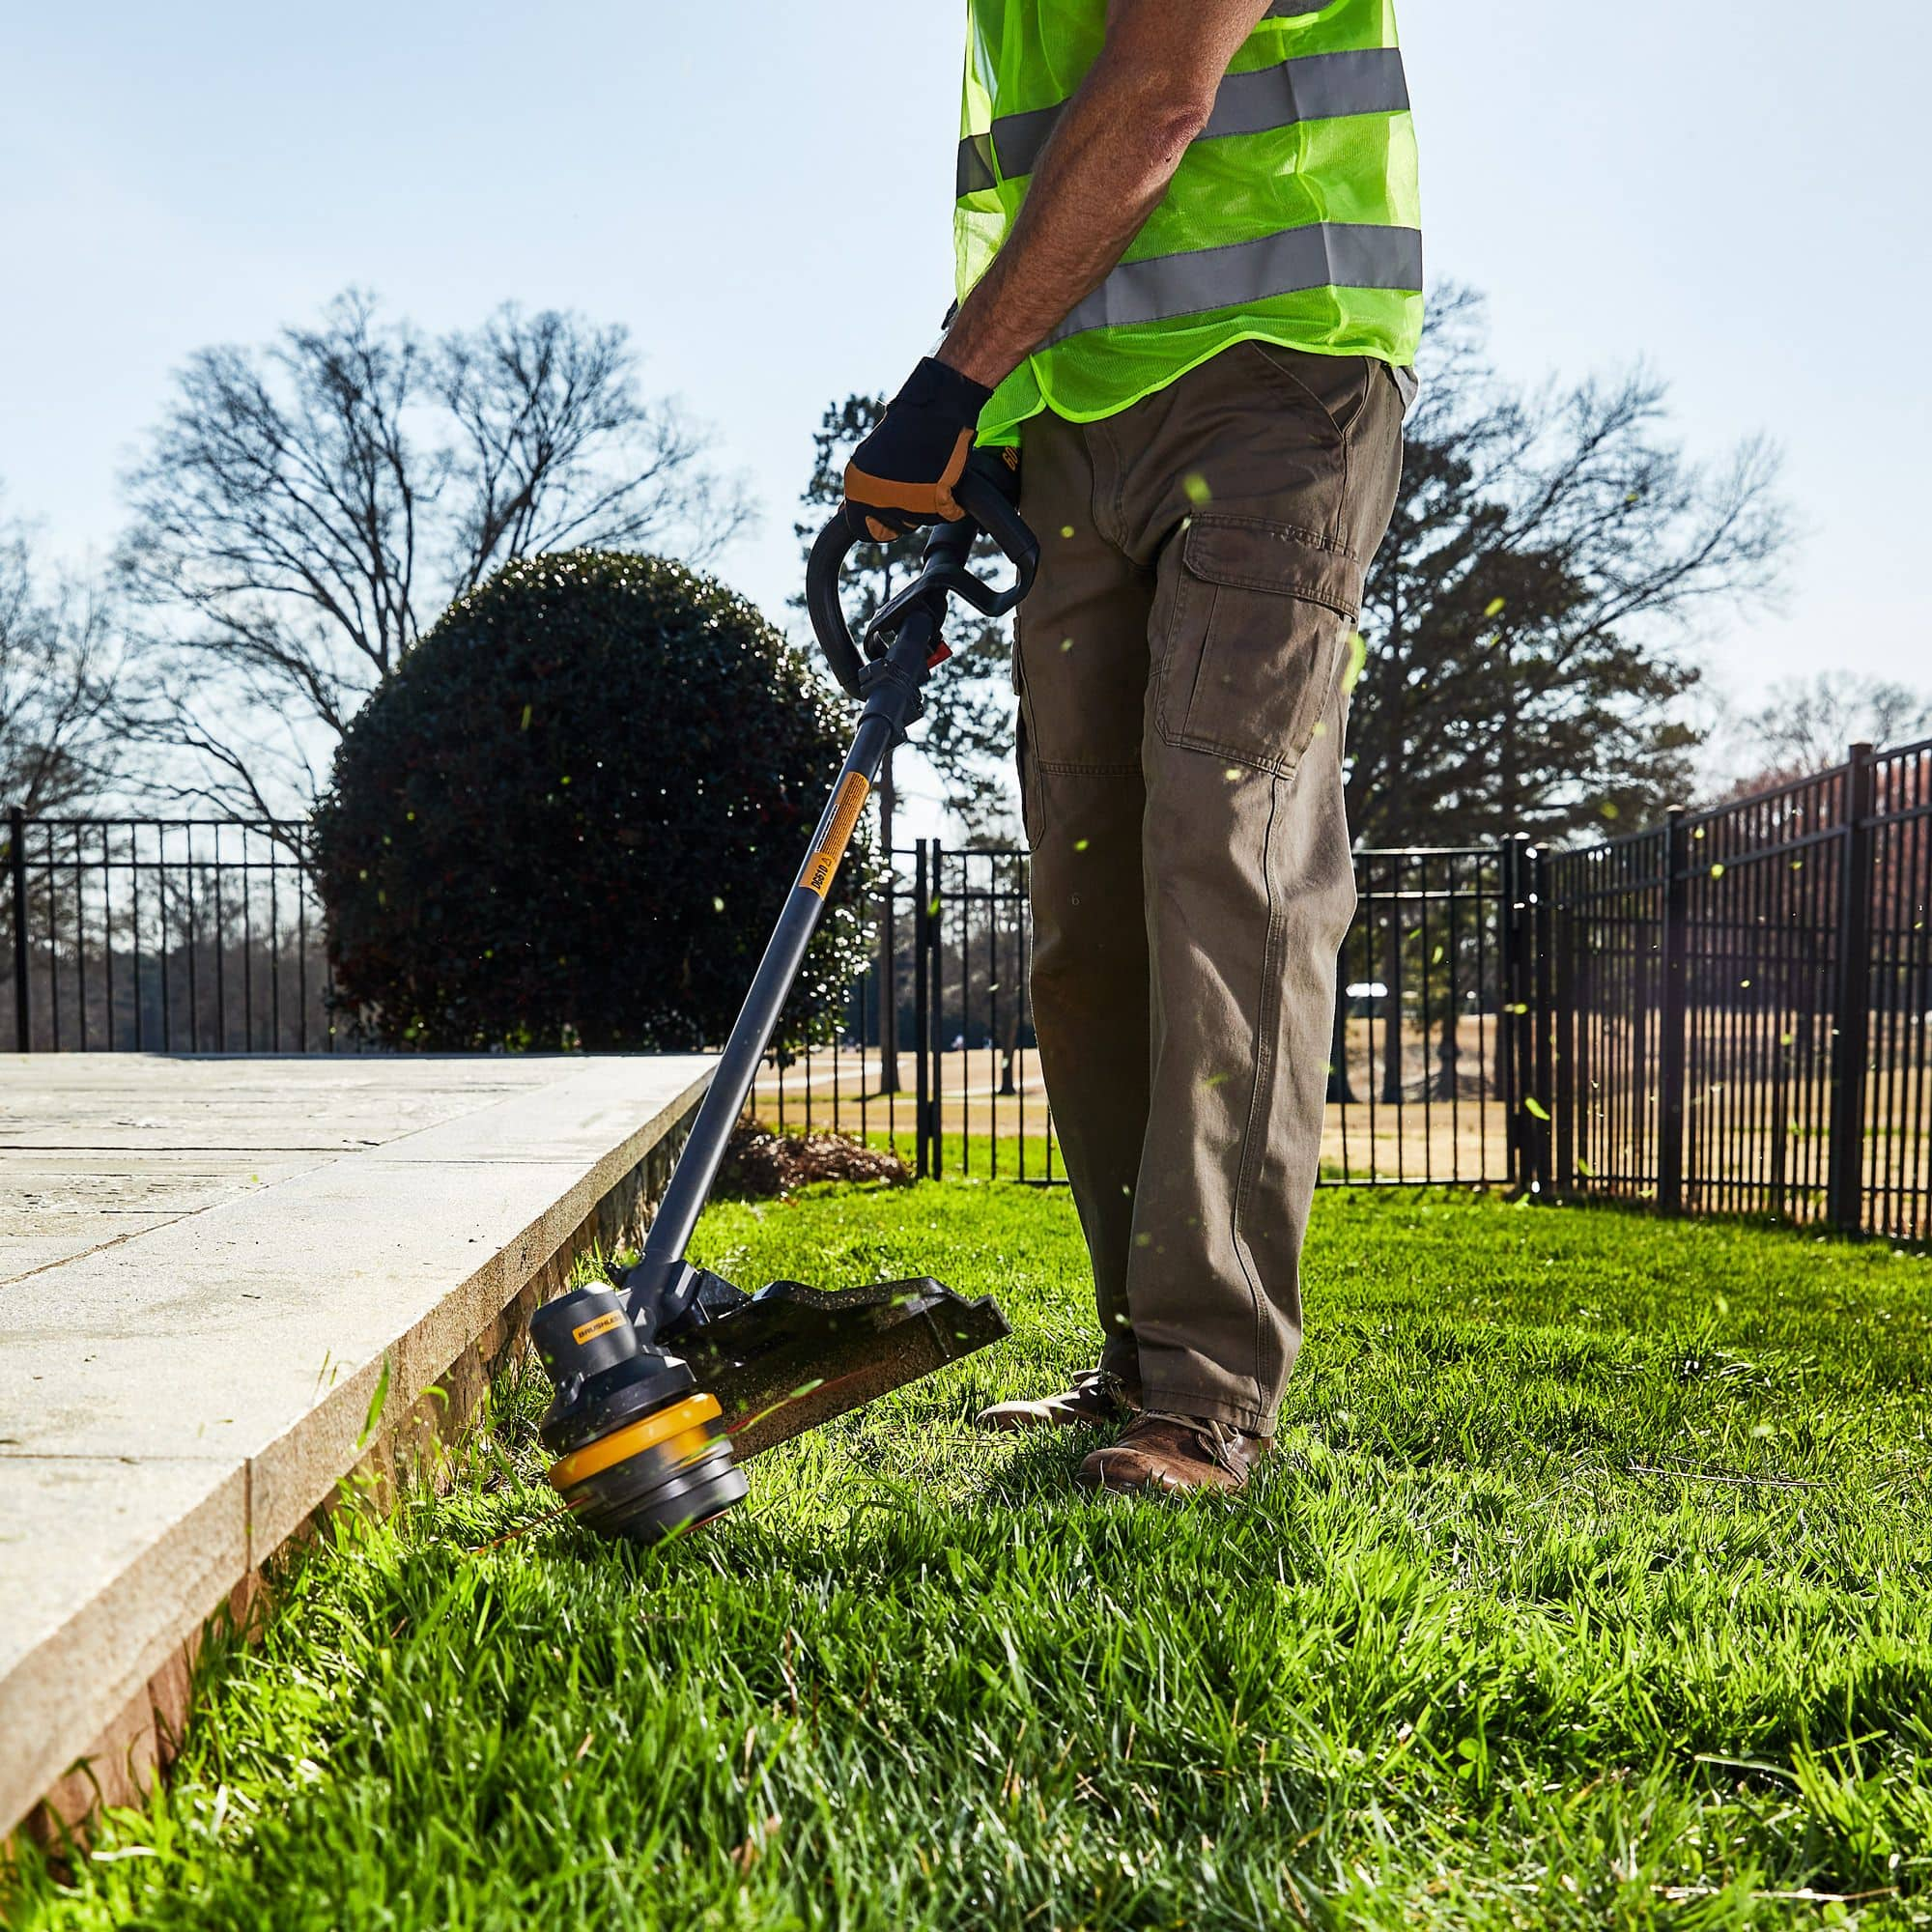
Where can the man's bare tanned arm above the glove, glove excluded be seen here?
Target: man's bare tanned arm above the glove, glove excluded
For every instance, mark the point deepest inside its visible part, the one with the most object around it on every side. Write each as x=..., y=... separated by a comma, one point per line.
x=1104, y=171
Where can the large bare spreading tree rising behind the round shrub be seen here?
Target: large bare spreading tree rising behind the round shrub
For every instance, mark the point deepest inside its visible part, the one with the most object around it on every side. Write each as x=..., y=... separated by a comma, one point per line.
x=304, y=511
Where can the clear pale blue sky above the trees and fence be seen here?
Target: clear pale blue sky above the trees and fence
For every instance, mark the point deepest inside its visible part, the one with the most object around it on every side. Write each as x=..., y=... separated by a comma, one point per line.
x=1734, y=192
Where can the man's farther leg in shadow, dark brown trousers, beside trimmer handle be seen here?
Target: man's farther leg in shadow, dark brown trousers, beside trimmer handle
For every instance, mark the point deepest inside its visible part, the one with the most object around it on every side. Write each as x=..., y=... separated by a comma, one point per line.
x=1083, y=673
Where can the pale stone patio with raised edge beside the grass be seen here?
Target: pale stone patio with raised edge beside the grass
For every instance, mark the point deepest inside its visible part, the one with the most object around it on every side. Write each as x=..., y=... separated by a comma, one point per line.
x=206, y=1266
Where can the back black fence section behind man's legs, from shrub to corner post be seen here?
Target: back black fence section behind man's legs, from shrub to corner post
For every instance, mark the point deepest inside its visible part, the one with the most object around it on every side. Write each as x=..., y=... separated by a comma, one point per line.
x=936, y=1054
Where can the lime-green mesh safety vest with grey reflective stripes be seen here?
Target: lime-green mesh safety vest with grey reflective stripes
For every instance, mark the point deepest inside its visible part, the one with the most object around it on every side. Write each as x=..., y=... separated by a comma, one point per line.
x=1293, y=217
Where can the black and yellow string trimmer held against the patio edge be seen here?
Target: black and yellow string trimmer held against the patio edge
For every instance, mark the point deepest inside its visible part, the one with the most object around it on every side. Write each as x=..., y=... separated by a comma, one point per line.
x=671, y=1378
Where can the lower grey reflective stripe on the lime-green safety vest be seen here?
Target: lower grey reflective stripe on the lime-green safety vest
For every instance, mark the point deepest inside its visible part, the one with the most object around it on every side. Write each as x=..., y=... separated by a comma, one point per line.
x=1328, y=254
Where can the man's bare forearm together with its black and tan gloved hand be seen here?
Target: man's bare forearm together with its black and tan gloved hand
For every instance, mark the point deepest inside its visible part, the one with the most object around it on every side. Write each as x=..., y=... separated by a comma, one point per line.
x=1114, y=152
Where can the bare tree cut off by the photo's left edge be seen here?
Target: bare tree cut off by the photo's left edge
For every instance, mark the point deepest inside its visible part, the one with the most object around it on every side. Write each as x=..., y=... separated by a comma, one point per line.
x=59, y=671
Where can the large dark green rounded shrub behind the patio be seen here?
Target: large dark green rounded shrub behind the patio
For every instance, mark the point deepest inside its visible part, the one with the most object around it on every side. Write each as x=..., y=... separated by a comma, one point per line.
x=573, y=814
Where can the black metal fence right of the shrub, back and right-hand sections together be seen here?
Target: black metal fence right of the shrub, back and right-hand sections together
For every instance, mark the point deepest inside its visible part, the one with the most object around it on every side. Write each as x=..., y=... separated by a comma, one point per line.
x=1724, y=1015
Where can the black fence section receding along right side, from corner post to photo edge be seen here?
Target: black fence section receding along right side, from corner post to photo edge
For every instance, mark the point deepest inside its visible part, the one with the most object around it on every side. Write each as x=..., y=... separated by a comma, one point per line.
x=1740, y=1002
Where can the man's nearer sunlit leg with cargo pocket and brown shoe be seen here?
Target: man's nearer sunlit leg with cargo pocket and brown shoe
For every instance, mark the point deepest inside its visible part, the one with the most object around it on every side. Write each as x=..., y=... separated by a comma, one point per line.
x=1259, y=490
